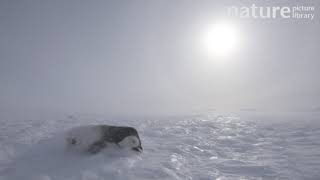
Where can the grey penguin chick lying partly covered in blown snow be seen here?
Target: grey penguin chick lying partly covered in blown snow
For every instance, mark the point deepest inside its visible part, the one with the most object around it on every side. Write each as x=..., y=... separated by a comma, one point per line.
x=94, y=138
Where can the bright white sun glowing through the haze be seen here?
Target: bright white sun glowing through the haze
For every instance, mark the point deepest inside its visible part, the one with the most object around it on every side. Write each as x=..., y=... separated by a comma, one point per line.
x=221, y=39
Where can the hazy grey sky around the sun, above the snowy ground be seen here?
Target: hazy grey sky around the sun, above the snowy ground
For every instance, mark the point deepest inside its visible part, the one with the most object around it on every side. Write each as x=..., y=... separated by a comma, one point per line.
x=137, y=57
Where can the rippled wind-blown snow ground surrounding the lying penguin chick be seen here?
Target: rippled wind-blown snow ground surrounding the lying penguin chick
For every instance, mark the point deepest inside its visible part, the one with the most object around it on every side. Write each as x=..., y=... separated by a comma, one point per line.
x=202, y=146
